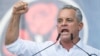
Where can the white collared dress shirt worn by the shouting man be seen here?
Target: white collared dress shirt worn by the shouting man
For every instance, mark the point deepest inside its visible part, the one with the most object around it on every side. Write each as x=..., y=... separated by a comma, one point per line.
x=29, y=48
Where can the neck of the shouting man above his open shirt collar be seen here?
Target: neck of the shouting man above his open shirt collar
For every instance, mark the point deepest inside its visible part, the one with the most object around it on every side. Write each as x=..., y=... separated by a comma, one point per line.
x=68, y=44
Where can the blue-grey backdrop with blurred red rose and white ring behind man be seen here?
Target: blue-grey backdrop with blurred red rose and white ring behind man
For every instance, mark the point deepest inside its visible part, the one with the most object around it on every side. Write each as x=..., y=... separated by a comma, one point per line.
x=39, y=23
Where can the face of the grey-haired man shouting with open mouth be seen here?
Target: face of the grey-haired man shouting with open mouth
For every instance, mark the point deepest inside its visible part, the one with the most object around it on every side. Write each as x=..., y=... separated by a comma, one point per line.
x=67, y=21
